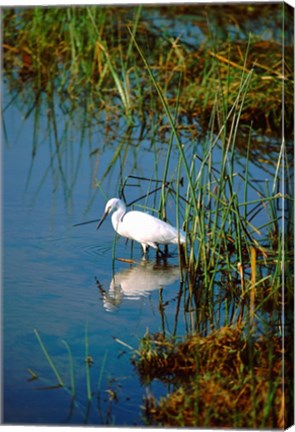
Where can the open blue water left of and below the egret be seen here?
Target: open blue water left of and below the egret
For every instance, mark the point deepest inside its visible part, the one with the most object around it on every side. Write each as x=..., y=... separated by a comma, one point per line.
x=50, y=276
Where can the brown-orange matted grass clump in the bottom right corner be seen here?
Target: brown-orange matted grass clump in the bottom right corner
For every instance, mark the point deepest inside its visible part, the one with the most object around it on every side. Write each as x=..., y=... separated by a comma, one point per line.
x=220, y=380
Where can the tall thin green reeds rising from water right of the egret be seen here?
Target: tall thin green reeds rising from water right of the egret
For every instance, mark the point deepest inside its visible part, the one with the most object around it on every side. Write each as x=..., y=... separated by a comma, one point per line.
x=220, y=231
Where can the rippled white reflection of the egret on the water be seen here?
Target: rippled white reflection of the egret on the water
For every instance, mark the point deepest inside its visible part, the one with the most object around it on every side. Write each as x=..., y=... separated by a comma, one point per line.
x=137, y=282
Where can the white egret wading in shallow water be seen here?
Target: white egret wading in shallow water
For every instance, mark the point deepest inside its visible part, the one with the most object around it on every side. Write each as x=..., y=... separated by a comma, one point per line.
x=141, y=227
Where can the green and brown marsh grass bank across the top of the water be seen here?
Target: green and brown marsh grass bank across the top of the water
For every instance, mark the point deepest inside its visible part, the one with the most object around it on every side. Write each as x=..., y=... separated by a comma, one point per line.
x=84, y=55
